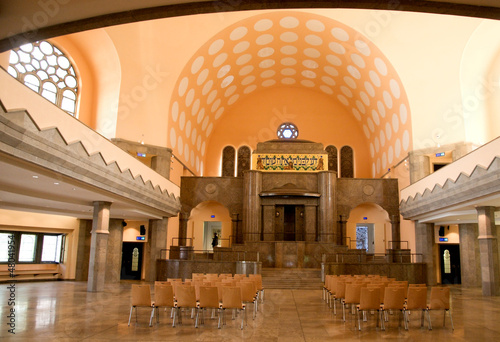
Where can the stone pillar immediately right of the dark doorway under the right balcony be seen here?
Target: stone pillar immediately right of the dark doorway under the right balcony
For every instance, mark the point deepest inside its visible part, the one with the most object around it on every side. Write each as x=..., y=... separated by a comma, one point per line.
x=470, y=261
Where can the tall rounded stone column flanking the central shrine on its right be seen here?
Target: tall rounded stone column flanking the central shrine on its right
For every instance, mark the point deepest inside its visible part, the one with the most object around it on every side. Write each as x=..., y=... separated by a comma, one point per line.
x=327, y=210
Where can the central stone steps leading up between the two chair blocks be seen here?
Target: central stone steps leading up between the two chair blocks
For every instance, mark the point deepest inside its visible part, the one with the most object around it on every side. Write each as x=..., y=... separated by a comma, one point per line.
x=292, y=278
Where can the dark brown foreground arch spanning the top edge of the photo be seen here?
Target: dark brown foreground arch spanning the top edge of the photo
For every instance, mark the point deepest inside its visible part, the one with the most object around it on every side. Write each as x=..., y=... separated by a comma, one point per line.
x=32, y=20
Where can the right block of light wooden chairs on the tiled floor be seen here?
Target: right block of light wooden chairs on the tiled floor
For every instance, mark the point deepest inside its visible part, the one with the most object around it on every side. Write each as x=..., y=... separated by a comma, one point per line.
x=382, y=294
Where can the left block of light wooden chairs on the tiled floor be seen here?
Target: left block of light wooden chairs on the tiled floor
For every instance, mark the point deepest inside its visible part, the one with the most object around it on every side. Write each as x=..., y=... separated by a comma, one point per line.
x=198, y=295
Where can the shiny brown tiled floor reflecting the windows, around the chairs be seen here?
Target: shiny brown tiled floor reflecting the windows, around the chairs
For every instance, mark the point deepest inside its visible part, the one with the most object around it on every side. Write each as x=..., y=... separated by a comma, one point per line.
x=65, y=311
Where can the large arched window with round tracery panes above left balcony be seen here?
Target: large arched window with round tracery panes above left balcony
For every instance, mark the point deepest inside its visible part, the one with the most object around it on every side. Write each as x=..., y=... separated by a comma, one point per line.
x=47, y=70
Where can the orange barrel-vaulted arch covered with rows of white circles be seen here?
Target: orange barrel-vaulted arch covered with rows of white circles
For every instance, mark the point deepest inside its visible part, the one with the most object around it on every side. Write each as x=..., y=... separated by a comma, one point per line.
x=290, y=49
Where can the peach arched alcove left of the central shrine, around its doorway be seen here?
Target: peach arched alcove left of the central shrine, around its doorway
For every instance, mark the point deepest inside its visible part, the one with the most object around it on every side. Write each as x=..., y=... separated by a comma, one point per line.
x=208, y=211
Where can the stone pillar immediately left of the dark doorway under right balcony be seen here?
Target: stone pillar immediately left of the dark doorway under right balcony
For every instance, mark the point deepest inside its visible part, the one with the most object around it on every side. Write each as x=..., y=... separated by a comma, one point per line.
x=424, y=244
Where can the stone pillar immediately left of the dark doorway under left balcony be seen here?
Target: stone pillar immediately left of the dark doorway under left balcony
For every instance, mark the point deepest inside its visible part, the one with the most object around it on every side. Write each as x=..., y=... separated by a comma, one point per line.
x=114, y=251
